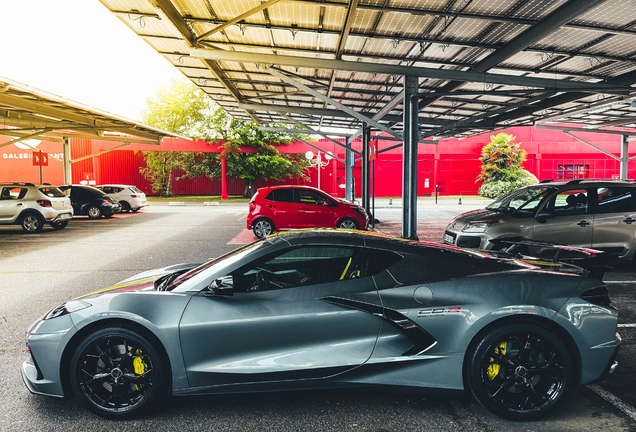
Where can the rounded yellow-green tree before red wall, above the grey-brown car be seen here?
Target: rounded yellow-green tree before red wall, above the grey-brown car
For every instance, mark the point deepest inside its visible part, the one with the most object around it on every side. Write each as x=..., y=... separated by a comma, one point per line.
x=501, y=170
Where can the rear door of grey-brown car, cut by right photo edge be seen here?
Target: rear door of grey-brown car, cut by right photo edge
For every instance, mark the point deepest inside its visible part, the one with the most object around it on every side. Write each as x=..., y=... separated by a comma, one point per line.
x=614, y=219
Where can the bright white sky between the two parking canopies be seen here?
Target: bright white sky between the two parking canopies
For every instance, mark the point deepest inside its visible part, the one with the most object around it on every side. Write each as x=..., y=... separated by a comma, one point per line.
x=78, y=50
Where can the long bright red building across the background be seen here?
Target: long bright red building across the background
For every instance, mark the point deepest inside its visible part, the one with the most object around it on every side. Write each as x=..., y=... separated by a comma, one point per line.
x=452, y=165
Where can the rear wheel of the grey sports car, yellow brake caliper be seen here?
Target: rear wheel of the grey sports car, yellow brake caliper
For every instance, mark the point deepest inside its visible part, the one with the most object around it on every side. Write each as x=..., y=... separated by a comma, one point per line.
x=520, y=370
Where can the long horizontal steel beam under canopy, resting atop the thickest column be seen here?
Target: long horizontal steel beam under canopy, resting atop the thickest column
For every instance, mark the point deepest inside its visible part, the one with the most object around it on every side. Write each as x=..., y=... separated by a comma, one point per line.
x=444, y=74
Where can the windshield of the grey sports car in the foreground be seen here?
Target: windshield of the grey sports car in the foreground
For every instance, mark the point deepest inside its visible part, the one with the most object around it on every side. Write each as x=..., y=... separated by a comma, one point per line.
x=190, y=280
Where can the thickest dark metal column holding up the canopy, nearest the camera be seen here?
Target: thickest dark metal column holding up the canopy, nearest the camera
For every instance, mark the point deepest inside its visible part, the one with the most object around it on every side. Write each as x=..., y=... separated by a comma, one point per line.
x=409, y=155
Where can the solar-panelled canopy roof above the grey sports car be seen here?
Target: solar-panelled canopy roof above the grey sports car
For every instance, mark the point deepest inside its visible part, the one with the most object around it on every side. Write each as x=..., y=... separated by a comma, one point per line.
x=593, y=42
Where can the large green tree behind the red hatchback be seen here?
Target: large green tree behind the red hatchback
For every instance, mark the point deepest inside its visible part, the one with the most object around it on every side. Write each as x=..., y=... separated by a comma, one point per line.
x=266, y=163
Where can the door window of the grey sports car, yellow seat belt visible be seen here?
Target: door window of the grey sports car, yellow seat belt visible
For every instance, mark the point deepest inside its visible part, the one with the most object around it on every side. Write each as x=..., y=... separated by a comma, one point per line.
x=301, y=266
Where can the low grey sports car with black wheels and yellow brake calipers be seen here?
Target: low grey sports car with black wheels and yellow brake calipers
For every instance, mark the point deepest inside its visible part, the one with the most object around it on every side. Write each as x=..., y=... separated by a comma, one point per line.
x=332, y=308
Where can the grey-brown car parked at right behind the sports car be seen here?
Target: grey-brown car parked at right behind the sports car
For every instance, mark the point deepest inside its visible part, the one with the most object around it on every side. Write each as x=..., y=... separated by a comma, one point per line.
x=586, y=213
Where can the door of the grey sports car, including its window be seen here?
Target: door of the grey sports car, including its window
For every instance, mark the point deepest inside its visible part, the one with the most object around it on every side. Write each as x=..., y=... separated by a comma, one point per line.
x=292, y=315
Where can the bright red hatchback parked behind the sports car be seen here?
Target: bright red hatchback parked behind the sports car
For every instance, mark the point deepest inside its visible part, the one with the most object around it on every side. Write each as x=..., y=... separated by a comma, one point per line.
x=289, y=207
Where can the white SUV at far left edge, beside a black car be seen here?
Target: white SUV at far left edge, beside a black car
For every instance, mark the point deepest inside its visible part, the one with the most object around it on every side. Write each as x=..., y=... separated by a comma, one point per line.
x=32, y=206
